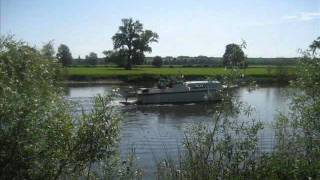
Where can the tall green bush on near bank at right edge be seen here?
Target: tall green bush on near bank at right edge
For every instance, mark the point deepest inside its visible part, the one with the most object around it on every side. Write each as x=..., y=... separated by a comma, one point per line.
x=297, y=155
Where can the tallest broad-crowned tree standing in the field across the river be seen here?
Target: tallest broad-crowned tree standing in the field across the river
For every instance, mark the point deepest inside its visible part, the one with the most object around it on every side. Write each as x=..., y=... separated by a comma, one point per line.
x=134, y=41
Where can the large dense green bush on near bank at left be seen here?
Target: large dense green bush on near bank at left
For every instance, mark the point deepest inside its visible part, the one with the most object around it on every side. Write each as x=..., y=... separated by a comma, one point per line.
x=39, y=136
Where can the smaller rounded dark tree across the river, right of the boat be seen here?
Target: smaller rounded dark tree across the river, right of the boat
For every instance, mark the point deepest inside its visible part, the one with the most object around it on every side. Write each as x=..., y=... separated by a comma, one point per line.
x=234, y=55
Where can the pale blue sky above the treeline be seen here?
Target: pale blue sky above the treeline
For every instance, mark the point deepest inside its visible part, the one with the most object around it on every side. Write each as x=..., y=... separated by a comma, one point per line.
x=271, y=28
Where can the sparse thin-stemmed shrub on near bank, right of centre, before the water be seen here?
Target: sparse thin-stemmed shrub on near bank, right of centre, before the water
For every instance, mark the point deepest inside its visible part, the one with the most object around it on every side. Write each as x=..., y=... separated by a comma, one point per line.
x=222, y=149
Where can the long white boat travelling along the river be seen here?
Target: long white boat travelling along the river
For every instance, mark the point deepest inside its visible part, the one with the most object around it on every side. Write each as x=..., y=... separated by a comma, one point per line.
x=186, y=92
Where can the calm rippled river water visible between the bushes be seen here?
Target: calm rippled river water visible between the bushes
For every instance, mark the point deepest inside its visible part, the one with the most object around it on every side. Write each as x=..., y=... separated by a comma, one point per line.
x=156, y=131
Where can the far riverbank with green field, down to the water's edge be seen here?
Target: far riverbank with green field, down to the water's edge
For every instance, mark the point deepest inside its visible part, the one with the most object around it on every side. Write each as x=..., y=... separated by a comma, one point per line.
x=101, y=75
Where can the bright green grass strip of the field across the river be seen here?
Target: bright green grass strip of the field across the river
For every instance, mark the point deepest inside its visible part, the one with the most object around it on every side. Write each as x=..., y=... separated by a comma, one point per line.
x=145, y=72
